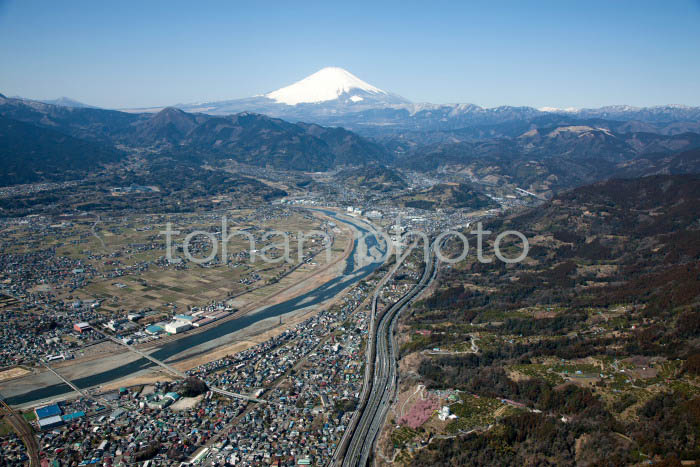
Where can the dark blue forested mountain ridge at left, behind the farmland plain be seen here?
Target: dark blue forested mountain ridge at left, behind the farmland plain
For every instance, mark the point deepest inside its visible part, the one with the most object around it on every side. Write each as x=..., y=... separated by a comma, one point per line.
x=245, y=137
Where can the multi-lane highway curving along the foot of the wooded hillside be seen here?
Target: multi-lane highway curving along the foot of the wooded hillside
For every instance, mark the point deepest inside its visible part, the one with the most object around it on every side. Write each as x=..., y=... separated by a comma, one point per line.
x=385, y=376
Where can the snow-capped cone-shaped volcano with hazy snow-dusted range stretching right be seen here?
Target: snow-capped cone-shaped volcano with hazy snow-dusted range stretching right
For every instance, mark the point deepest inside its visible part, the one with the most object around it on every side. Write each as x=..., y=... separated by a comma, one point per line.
x=335, y=97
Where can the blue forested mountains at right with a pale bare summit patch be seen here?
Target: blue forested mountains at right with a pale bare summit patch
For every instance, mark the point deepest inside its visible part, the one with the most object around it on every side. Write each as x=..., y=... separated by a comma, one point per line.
x=550, y=159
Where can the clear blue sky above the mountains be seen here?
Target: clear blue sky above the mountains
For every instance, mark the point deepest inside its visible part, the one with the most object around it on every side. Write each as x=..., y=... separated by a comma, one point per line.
x=559, y=53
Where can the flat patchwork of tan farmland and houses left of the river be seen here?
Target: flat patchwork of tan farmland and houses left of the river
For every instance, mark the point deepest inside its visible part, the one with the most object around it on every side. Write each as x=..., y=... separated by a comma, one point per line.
x=123, y=261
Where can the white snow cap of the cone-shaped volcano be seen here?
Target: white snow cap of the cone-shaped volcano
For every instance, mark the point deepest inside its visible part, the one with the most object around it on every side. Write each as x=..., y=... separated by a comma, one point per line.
x=325, y=85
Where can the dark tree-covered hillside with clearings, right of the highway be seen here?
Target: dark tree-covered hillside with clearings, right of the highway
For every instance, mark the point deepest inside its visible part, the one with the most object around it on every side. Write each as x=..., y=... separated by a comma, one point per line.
x=595, y=334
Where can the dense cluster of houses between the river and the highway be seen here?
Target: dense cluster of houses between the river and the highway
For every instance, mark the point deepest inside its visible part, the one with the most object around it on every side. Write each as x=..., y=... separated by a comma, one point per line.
x=310, y=375
